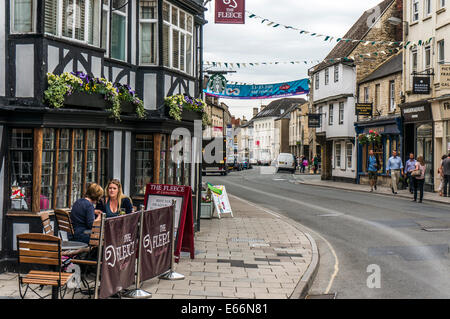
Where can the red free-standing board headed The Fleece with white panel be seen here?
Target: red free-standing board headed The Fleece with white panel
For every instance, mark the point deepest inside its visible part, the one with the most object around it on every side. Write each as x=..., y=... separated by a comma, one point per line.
x=160, y=195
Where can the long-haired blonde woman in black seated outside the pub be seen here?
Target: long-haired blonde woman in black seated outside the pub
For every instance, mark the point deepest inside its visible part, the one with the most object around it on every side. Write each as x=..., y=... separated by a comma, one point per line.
x=114, y=200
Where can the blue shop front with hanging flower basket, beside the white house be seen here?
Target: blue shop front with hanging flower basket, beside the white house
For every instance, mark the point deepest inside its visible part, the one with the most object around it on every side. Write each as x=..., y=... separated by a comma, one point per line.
x=390, y=130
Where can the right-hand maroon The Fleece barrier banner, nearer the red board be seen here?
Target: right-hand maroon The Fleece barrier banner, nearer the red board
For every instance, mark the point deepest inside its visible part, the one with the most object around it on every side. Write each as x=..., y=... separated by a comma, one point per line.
x=156, y=256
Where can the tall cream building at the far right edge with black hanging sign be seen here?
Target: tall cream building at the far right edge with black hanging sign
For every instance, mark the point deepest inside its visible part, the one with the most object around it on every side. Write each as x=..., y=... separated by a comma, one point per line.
x=427, y=112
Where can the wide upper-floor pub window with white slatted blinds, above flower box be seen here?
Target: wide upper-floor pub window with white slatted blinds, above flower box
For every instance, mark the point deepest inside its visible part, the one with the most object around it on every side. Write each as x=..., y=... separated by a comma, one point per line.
x=73, y=19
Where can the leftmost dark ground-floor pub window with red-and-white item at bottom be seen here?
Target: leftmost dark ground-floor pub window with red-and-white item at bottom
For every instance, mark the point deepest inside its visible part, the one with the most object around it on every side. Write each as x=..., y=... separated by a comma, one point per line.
x=21, y=168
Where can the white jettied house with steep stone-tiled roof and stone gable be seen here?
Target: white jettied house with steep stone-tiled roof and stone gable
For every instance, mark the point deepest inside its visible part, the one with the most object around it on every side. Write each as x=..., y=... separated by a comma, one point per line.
x=333, y=90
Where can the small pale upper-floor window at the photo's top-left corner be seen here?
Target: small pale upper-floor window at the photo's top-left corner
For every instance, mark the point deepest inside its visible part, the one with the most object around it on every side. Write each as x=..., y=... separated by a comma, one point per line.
x=23, y=17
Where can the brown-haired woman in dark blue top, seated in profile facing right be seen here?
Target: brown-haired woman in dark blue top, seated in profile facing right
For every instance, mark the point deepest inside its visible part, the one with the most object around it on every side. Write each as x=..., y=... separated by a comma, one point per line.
x=83, y=213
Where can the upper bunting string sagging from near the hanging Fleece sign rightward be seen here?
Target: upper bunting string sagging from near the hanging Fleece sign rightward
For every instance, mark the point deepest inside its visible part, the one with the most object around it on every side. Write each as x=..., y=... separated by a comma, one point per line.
x=330, y=38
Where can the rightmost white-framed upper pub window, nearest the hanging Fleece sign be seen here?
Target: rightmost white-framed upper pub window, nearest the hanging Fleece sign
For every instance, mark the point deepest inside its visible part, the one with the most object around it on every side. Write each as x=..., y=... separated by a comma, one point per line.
x=177, y=39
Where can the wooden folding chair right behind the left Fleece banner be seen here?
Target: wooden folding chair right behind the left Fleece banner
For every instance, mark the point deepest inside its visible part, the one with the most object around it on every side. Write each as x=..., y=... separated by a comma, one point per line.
x=95, y=243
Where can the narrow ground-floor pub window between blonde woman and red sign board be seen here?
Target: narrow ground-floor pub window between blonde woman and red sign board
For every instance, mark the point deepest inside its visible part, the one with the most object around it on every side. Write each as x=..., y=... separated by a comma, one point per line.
x=143, y=162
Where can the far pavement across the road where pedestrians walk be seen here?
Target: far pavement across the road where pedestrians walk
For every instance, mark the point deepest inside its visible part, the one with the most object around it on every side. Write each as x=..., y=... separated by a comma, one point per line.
x=311, y=179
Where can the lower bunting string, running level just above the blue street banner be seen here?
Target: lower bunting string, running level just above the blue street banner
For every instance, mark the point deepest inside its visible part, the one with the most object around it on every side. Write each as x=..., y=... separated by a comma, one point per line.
x=257, y=64
